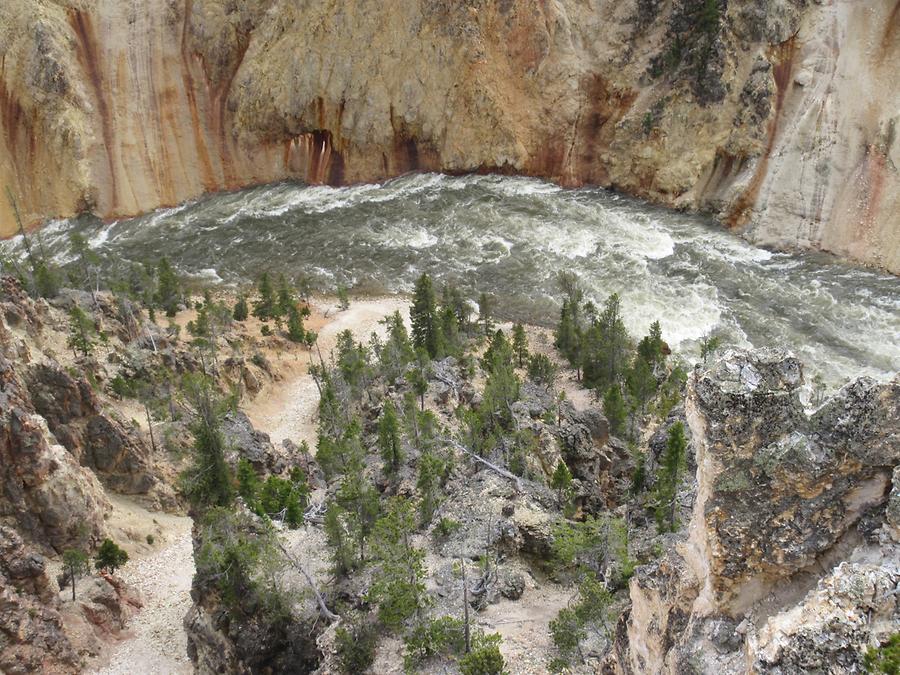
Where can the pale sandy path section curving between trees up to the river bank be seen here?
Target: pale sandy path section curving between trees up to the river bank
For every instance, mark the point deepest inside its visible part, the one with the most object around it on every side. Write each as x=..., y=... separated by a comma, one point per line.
x=287, y=408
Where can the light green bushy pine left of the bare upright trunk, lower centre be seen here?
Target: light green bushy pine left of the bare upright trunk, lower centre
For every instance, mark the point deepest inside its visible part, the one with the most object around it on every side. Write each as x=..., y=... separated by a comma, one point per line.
x=398, y=585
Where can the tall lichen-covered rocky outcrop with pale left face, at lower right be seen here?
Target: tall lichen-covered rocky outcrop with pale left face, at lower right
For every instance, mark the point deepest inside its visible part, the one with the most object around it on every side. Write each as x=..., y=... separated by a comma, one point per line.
x=782, y=498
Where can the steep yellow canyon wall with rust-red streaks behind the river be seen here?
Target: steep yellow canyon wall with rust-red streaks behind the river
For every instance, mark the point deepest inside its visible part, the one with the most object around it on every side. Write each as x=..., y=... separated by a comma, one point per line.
x=778, y=117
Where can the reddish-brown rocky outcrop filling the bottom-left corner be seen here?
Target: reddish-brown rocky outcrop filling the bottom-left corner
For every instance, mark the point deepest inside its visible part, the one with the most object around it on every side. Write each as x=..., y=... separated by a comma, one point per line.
x=32, y=638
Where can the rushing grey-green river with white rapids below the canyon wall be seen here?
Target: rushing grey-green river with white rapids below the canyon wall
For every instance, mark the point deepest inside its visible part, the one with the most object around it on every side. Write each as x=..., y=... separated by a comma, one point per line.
x=510, y=237
